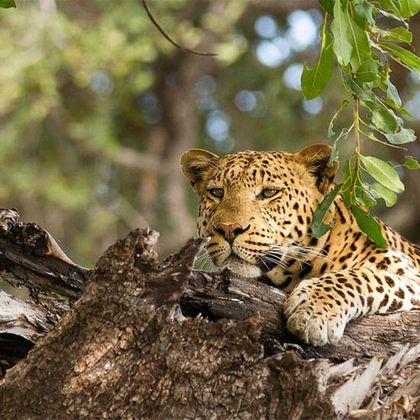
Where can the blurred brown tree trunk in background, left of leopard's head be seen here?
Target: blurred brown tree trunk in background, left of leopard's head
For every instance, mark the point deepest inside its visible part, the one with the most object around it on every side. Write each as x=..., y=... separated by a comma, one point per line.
x=177, y=95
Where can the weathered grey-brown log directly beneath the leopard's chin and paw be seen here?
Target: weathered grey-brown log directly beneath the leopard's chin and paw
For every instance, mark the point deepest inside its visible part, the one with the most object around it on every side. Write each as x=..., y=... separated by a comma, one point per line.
x=226, y=295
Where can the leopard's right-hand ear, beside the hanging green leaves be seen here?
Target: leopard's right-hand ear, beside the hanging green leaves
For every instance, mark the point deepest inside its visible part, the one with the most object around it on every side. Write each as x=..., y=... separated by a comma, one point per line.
x=316, y=158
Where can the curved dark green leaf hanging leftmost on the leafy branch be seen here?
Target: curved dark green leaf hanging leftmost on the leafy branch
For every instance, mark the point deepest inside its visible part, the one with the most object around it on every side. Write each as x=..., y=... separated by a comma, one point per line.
x=314, y=80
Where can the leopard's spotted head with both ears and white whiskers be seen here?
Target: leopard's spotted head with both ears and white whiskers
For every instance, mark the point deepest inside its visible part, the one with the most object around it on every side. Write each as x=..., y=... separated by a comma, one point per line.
x=256, y=208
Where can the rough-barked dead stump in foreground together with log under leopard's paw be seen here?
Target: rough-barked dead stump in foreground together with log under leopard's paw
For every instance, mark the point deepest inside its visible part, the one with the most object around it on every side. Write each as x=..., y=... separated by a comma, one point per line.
x=126, y=350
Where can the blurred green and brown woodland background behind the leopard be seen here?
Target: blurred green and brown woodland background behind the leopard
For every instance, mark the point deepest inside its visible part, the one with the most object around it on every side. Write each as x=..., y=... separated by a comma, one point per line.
x=96, y=107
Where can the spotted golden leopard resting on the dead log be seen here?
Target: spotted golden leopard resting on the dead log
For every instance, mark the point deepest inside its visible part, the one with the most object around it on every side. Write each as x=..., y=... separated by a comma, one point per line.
x=256, y=210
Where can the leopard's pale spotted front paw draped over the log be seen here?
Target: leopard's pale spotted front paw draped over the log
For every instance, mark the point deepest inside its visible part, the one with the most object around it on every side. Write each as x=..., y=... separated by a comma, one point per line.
x=315, y=319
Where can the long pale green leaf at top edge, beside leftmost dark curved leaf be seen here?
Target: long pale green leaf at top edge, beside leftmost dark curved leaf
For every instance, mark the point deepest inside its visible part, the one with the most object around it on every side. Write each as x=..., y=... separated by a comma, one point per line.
x=340, y=30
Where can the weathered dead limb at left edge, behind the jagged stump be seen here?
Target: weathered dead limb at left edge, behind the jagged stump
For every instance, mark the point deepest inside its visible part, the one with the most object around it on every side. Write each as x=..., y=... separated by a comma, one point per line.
x=40, y=283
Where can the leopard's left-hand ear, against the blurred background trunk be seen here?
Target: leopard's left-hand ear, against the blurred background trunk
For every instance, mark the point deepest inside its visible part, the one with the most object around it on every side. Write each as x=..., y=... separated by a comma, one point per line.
x=195, y=163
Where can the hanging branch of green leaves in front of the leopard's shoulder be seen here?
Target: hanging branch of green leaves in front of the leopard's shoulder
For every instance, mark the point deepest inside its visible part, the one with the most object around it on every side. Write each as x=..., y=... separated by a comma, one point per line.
x=355, y=42
